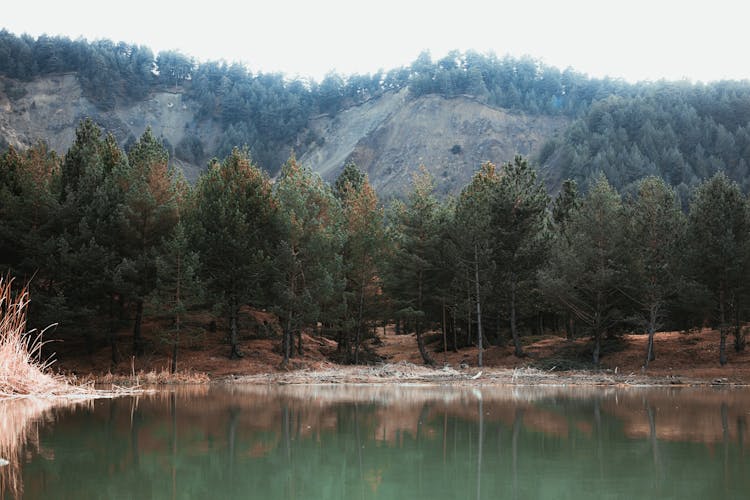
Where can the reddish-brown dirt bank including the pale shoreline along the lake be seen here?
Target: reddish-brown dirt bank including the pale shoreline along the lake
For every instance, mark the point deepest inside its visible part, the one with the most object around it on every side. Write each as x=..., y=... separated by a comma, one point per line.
x=682, y=358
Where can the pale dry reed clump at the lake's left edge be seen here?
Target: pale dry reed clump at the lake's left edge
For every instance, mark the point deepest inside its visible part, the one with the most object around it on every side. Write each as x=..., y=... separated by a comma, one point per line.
x=22, y=369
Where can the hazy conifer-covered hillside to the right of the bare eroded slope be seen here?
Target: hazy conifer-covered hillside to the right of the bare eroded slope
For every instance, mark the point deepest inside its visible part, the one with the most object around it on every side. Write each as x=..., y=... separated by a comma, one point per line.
x=683, y=133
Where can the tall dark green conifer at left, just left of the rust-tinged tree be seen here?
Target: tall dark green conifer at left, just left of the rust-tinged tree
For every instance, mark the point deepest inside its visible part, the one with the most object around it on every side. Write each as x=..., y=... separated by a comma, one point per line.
x=89, y=243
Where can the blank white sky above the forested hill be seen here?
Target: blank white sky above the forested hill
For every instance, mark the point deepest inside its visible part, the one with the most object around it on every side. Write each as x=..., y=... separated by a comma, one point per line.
x=634, y=40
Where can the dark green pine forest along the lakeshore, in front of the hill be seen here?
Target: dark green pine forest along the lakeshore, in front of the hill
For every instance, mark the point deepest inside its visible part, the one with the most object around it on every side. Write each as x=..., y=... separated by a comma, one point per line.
x=109, y=237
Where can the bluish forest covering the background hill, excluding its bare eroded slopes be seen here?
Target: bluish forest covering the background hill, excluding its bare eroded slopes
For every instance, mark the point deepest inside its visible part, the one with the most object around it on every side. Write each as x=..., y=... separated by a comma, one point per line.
x=680, y=131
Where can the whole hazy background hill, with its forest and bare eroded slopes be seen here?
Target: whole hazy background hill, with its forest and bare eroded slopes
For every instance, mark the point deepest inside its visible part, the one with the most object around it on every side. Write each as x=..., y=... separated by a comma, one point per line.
x=449, y=114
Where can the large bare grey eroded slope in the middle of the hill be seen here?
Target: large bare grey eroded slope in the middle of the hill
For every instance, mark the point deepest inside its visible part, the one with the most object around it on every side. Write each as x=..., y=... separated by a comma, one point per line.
x=390, y=137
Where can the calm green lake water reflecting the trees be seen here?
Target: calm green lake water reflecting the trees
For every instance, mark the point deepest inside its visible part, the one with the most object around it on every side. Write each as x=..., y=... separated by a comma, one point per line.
x=364, y=442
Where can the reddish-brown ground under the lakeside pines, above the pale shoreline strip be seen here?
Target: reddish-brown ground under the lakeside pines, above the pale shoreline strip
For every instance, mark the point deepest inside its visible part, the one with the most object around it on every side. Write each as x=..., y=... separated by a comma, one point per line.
x=693, y=355
